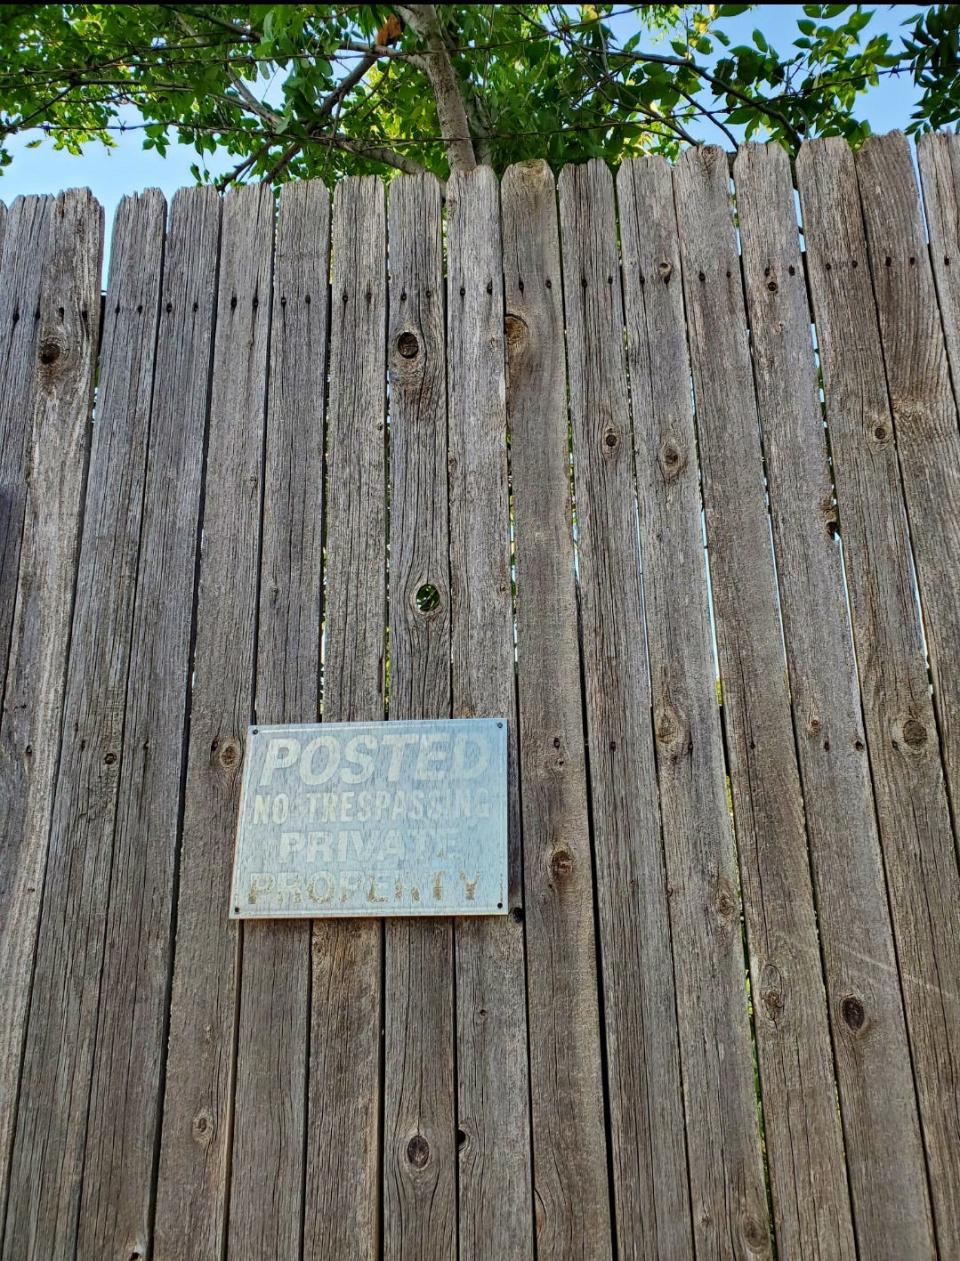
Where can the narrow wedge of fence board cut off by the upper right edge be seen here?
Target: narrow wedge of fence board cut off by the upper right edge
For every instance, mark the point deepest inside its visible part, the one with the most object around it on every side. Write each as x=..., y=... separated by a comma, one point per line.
x=939, y=161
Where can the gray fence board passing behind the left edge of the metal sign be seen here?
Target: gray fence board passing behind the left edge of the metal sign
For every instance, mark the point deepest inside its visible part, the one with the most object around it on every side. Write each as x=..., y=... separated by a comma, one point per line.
x=273, y=1045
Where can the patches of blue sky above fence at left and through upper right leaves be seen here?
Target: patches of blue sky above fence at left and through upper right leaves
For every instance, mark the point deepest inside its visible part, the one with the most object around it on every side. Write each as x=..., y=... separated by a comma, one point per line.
x=129, y=168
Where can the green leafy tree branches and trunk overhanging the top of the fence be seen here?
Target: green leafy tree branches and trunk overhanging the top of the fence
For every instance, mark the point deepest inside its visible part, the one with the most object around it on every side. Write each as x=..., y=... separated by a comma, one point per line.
x=298, y=91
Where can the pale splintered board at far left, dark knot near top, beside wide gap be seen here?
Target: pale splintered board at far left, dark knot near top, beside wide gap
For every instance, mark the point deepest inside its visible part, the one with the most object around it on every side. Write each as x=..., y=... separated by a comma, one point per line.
x=33, y=702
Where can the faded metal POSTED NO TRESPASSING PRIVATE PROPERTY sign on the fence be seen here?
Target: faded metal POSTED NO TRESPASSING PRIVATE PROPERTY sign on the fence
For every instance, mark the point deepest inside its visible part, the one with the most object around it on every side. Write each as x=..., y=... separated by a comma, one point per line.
x=373, y=819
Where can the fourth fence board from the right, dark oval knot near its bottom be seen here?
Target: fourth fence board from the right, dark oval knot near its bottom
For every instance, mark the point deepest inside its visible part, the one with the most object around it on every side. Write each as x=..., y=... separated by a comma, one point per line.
x=885, y=1156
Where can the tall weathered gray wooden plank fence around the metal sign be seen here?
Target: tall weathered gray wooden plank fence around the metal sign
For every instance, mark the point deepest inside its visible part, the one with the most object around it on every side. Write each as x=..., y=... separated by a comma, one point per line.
x=412, y=456
